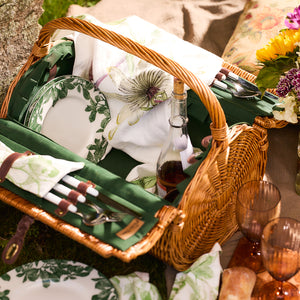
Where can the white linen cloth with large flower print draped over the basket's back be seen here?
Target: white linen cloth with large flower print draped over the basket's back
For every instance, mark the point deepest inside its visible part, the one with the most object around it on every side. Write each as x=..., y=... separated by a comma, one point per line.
x=140, y=132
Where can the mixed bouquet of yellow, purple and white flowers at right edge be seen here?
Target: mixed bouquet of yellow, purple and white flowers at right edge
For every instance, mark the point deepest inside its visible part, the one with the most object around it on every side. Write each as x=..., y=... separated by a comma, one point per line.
x=280, y=60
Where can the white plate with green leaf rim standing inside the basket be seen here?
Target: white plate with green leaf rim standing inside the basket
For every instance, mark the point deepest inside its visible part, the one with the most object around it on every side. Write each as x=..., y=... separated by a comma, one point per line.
x=71, y=112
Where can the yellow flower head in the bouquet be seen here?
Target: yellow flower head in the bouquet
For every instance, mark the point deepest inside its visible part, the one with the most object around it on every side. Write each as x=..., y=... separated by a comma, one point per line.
x=282, y=44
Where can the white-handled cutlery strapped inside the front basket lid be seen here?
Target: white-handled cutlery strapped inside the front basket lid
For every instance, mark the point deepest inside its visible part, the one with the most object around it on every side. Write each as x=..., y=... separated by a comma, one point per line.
x=97, y=215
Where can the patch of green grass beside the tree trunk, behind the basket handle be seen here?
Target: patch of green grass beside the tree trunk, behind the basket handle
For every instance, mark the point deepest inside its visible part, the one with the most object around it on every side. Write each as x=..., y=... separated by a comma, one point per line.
x=54, y=9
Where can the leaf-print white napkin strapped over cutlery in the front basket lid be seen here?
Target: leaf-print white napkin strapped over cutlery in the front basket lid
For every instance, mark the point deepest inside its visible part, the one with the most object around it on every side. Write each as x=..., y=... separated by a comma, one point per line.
x=37, y=173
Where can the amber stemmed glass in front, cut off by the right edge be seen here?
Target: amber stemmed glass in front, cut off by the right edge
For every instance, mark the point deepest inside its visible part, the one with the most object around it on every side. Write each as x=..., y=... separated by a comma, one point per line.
x=280, y=244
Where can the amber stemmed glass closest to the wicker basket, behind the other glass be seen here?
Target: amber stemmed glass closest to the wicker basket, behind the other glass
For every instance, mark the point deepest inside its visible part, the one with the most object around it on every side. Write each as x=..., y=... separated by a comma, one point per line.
x=258, y=202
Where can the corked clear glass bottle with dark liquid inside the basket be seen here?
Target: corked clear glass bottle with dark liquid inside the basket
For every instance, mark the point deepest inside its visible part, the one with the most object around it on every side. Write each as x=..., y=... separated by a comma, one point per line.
x=177, y=148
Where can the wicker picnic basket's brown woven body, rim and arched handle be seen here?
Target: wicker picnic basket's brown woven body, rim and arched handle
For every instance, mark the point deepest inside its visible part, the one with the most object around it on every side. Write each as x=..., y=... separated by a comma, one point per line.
x=206, y=212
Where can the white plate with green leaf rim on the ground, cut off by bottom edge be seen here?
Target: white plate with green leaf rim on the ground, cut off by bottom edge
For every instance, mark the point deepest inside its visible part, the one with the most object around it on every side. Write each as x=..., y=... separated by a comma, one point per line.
x=56, y=279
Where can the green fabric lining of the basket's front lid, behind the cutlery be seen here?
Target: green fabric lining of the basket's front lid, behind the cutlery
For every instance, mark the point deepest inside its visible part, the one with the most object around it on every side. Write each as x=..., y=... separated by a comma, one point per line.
x=19, y=138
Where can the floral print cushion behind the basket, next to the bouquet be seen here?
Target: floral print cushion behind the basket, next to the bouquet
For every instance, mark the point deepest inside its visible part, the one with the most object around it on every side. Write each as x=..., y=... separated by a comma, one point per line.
x=260, y=21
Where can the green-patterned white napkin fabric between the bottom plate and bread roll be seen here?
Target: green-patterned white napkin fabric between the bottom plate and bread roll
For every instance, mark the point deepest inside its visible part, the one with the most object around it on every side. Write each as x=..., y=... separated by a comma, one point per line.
x=200, y=281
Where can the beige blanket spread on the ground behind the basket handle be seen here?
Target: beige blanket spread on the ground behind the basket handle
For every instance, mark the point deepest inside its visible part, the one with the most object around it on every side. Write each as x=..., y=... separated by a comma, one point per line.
x=206, y=23
